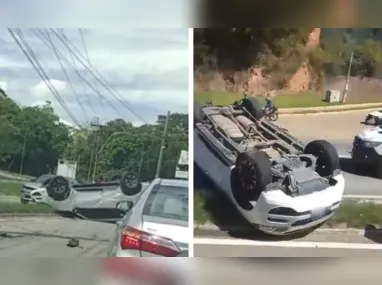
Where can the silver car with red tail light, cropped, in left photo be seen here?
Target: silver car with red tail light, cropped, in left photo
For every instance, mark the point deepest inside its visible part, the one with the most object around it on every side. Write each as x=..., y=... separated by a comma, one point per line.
x=156, y=225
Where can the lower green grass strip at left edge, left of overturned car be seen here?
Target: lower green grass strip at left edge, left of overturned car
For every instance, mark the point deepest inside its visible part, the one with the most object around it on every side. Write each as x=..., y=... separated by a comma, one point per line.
x=18, y=208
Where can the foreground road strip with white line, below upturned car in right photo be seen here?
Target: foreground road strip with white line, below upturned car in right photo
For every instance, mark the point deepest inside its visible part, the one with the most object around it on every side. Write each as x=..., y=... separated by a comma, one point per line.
x=321, y=243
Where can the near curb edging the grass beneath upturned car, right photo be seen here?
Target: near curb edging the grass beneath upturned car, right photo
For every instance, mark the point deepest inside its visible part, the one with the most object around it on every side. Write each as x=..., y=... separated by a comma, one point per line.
x=212, y=227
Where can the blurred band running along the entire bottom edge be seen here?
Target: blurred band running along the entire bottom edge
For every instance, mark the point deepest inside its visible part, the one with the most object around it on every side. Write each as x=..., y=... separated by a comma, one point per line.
x=200, y=271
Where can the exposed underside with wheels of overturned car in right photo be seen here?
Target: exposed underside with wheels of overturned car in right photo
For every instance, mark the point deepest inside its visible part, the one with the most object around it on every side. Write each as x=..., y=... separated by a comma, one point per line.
x=264, y=155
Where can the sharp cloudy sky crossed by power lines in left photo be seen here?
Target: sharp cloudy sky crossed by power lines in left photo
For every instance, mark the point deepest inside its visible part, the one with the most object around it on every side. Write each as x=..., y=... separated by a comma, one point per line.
x=147, y=67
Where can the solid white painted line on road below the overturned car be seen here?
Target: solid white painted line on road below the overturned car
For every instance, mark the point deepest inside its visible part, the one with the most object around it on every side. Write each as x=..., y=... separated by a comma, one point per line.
x=286, y=244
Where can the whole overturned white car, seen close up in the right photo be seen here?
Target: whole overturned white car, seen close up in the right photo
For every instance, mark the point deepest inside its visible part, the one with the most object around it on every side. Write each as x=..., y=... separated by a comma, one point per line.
x=277, y=184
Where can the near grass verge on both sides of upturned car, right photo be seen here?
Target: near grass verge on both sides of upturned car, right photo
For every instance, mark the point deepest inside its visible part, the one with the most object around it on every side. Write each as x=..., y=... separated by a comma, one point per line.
x=350, y=214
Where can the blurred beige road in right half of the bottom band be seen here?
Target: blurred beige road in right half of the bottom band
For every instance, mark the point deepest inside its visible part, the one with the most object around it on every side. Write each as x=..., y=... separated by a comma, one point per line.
x=287, y=271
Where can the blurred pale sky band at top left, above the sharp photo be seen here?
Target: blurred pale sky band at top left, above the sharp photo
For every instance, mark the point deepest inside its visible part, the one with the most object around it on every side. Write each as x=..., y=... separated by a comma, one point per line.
x=98, y=13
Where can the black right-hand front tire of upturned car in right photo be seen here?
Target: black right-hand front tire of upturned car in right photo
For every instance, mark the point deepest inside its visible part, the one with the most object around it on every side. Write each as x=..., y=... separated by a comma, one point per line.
x=327, y=157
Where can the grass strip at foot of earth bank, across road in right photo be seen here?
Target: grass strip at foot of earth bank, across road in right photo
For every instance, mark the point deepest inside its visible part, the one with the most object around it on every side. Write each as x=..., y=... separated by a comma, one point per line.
x=287, y=100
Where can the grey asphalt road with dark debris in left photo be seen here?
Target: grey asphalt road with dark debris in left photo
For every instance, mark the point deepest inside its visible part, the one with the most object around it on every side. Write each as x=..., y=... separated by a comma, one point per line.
x=48, y=237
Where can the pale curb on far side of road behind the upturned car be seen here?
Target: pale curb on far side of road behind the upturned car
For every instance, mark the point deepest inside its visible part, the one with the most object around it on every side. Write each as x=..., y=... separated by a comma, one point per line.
x=329, y=109
